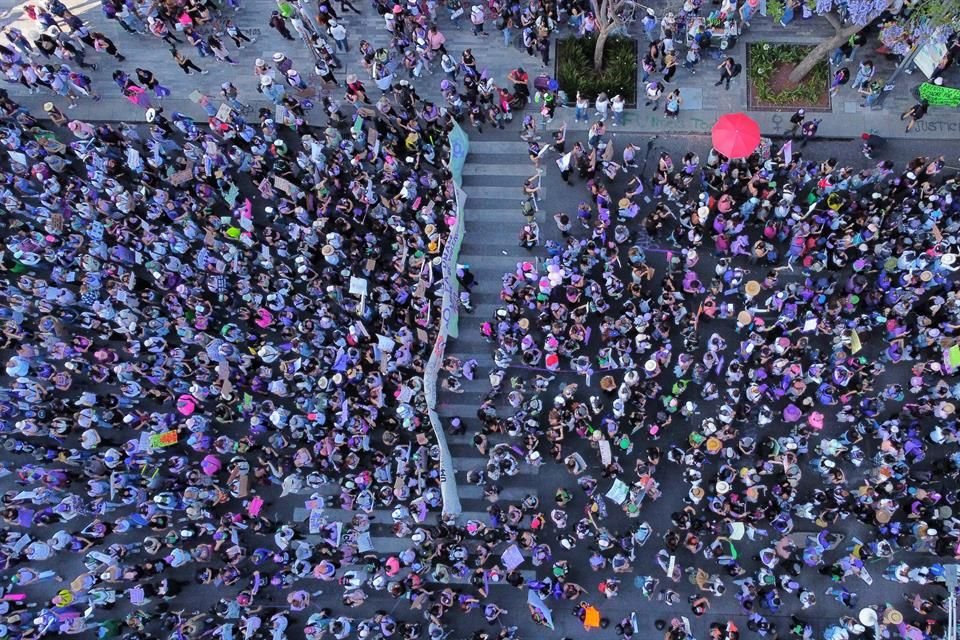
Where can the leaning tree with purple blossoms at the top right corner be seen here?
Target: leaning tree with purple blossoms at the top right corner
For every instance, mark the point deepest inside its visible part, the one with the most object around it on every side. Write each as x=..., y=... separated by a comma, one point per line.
x=928, y=19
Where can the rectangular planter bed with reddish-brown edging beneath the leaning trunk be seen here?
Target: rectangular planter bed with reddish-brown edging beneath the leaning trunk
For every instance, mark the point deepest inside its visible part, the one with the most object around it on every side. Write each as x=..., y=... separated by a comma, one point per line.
x=769, y=88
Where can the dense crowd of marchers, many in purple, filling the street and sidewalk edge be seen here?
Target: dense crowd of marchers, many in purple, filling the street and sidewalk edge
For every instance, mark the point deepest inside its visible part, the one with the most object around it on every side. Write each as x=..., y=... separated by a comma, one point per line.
x=201, y=319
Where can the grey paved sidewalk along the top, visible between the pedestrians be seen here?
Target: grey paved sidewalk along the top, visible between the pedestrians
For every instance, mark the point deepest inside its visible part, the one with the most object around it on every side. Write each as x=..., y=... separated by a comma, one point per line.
x=703, y=102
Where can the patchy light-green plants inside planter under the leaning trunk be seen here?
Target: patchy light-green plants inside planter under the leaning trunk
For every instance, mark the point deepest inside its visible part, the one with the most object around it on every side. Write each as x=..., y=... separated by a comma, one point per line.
x=766, y=58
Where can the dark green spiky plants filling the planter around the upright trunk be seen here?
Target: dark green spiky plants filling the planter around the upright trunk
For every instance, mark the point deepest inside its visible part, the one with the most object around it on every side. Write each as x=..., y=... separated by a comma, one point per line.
x=619, y=75
